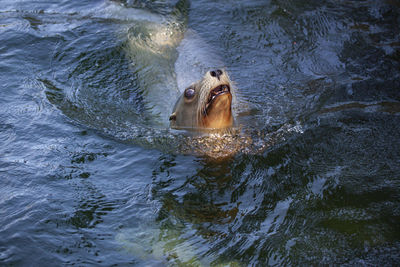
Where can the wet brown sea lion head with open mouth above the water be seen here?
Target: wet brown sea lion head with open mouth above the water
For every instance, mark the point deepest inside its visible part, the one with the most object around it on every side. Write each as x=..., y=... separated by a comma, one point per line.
x=205, y=104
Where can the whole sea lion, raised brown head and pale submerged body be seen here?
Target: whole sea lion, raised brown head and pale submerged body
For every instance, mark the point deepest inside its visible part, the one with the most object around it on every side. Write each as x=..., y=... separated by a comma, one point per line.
x=167, y=58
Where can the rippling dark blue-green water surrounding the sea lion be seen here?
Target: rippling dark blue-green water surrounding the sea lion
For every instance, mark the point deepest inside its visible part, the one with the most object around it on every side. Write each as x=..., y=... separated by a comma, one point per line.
x=88, y=177
